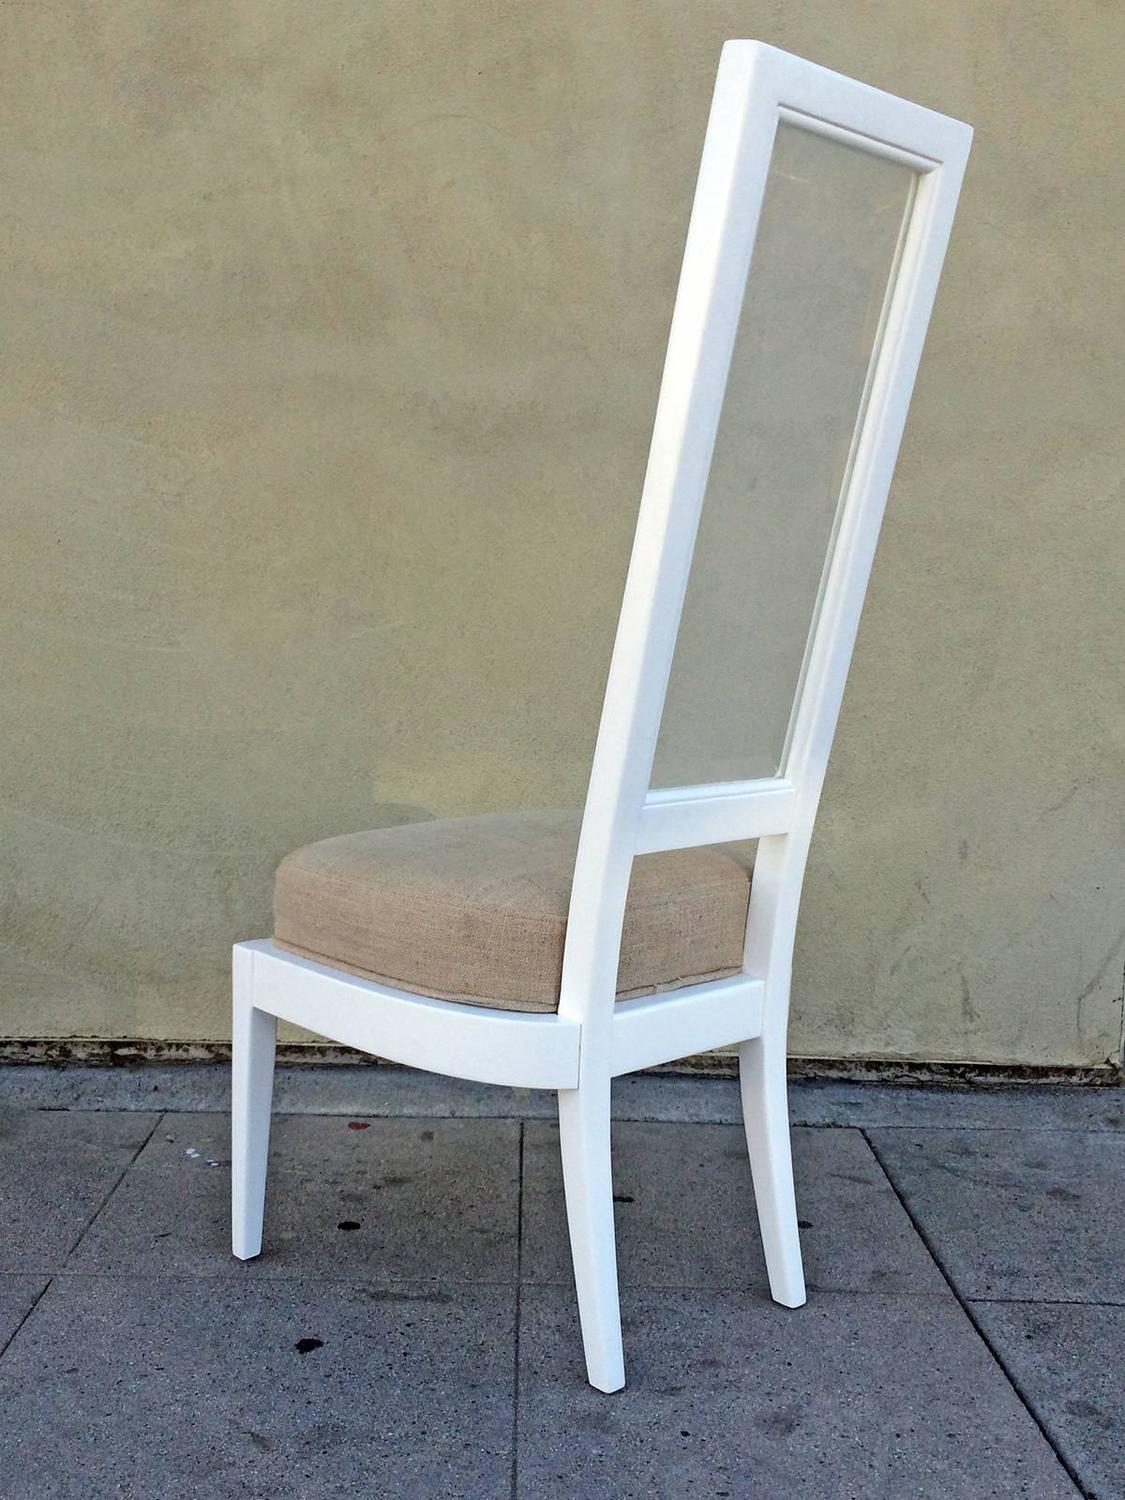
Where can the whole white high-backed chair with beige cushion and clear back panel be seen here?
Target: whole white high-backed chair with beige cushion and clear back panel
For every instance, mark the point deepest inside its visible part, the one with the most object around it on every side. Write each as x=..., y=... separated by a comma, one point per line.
x=559, y=952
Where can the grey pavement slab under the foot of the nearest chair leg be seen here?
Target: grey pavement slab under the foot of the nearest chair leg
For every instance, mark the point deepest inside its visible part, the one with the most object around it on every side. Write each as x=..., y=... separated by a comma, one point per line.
x=734, y=1399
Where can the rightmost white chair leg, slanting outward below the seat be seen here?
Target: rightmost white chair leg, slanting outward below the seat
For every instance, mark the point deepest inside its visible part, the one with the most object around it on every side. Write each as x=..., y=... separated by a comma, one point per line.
x=766, y=1112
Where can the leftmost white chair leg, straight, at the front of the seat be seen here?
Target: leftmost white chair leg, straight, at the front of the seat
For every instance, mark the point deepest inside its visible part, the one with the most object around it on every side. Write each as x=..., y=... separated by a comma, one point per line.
x=254, y=1043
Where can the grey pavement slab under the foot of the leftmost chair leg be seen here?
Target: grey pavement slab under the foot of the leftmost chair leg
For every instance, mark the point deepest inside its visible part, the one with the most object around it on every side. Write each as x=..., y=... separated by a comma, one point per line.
x=388, y=1199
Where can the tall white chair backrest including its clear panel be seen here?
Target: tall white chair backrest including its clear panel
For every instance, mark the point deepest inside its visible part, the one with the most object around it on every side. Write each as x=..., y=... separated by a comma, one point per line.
x=785, y=140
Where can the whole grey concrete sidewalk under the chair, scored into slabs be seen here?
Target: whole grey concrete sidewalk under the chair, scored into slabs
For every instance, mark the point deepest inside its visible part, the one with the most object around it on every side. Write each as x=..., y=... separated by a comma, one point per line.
x=410, y=1330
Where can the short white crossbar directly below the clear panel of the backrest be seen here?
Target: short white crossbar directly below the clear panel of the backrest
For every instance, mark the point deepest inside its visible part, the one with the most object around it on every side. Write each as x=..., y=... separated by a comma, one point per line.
x=685, y=818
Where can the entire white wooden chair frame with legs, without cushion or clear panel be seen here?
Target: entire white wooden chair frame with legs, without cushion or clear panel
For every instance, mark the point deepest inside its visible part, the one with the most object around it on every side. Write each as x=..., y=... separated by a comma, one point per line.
x=593, y=1037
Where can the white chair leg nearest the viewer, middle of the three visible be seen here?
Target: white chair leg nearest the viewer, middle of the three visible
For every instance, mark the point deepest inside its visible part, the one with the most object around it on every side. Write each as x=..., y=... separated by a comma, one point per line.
x=587, y=1178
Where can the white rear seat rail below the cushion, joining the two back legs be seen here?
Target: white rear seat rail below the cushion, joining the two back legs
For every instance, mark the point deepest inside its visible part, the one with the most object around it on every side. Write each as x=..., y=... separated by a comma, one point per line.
x=676, y=1024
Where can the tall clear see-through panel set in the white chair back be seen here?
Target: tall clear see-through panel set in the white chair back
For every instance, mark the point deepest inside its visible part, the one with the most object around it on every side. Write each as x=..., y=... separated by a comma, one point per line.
x=826, y=251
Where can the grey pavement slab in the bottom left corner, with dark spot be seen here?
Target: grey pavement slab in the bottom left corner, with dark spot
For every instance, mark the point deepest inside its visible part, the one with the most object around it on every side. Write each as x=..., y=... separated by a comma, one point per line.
x=163, y=1388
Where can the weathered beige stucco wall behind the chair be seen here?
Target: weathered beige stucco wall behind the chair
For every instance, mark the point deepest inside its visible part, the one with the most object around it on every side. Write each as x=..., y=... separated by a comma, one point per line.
x=331, y=343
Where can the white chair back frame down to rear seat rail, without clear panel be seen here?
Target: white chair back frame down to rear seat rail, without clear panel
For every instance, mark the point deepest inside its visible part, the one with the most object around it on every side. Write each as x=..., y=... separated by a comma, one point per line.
x=757, y=89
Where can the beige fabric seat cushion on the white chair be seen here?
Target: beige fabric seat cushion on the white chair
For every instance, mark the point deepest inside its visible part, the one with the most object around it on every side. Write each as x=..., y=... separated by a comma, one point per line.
x=475, y=910
